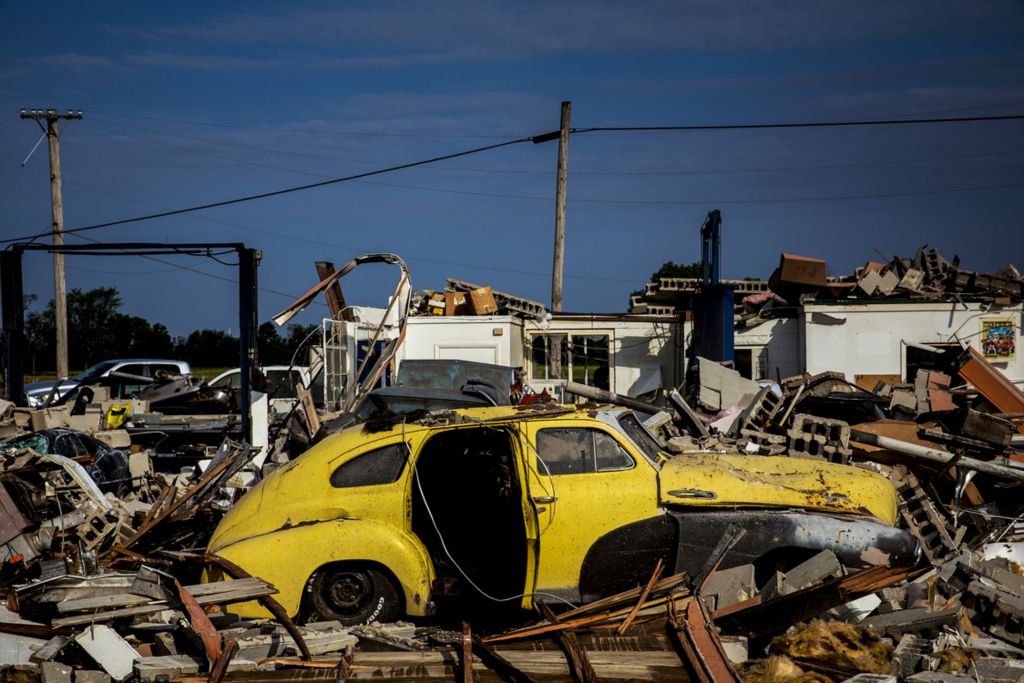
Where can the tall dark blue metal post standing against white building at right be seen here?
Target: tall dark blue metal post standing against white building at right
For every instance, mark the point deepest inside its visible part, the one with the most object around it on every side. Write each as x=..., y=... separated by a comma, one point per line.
x=713, y=324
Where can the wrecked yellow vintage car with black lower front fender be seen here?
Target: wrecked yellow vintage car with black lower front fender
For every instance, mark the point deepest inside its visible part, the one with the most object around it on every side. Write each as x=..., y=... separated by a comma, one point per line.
x=515, y=505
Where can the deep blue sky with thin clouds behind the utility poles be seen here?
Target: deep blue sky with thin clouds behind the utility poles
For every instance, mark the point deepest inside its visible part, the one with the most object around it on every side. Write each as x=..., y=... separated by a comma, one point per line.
x=187, y=104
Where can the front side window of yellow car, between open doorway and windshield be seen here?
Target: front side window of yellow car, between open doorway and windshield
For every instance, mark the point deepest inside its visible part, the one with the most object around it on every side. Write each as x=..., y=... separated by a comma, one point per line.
x=579, y=451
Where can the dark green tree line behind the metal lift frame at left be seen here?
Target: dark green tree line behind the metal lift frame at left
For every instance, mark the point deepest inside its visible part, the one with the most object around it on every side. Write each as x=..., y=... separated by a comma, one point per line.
x=99, y=330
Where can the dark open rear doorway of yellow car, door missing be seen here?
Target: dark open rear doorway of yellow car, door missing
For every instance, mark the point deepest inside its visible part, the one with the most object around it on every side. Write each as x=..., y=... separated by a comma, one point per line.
x=467, y=509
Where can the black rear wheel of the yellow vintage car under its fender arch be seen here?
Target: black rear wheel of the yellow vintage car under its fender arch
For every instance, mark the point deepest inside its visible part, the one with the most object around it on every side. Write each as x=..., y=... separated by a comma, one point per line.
x=354, y=595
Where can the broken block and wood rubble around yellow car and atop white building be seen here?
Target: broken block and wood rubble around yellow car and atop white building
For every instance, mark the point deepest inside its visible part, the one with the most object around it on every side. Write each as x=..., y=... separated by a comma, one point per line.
x=103, y=548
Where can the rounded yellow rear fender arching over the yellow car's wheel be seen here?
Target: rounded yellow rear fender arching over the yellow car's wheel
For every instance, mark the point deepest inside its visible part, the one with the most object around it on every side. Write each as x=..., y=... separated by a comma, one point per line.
x=288, y=558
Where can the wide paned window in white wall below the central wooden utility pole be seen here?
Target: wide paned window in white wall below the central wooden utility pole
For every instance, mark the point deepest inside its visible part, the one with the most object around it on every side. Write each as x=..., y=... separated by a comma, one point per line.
x=583, y=359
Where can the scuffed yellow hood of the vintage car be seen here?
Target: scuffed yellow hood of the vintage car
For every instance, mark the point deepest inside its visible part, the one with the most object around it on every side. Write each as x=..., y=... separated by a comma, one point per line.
x=709, y=481
